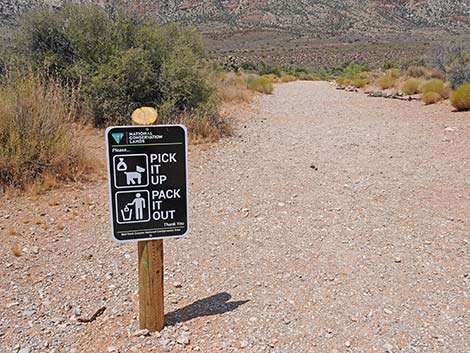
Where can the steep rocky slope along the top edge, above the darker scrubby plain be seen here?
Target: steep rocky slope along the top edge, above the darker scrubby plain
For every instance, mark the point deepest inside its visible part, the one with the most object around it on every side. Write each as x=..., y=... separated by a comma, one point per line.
x=325, y=18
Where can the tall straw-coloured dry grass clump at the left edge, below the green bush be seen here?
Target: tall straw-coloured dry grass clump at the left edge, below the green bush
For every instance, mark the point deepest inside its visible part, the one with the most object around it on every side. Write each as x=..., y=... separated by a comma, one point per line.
x=38, y=134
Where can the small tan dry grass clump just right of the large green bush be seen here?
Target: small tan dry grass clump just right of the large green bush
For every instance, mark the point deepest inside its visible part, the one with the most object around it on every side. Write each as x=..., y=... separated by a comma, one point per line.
x=231, y=88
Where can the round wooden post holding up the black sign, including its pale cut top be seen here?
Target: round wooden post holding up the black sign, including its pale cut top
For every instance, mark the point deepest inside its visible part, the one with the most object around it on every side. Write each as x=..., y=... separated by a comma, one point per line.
x=151, y=309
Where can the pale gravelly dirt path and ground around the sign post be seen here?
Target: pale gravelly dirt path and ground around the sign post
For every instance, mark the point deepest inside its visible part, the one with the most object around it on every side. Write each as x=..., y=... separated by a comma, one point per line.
x=332, y=222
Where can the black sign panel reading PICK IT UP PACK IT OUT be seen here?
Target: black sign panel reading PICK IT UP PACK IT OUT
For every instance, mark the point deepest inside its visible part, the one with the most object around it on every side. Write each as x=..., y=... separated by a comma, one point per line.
x=148, y=181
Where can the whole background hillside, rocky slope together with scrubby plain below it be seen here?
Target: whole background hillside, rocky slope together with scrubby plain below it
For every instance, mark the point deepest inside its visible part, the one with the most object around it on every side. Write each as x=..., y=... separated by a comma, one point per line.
x=299, y=32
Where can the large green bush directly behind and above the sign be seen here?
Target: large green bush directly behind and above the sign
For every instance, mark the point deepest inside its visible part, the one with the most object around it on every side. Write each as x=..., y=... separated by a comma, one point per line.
x=120, y=64
